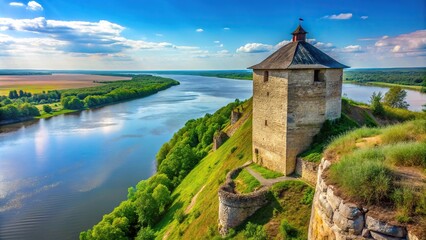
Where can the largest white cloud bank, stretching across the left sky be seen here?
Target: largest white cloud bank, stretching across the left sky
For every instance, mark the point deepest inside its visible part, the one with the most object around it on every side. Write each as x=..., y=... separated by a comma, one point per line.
x=101, y=37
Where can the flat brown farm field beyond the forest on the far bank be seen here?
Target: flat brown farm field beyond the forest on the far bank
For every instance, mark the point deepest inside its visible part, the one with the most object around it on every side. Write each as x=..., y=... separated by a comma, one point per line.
x=39, y=83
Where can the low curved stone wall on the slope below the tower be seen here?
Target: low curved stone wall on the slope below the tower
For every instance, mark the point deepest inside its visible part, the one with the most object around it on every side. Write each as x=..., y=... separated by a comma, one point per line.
x=236, y=208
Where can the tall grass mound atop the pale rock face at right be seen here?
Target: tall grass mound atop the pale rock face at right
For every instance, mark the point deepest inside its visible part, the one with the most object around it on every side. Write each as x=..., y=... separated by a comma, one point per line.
x=371, y=172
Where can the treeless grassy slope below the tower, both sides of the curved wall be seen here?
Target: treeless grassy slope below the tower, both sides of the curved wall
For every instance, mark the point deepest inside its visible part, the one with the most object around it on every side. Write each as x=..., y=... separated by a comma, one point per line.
x=197, y=196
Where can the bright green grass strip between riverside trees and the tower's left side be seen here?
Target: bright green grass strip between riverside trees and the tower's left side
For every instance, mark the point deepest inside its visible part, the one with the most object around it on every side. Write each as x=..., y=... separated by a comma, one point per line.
x=210, y=172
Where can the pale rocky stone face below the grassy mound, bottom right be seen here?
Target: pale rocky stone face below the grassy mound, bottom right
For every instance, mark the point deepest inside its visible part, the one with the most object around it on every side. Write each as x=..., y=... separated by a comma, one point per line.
x=333, y=218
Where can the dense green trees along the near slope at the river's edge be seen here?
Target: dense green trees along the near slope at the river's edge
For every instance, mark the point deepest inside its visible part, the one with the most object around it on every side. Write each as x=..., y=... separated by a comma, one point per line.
x=149, y=200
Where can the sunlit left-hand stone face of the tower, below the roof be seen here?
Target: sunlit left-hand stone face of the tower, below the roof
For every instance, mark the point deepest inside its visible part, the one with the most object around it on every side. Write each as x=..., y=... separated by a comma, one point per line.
x=270, y=119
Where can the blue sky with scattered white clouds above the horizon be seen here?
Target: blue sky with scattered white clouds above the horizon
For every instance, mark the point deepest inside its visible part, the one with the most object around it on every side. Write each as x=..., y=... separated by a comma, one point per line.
x=204, y=34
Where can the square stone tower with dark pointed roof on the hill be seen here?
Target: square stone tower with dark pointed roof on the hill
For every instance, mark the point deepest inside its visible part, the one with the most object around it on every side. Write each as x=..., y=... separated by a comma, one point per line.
x=295, y=90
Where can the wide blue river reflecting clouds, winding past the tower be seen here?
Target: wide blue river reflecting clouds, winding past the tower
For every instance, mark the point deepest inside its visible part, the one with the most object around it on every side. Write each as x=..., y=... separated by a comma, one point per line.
x=58, y=176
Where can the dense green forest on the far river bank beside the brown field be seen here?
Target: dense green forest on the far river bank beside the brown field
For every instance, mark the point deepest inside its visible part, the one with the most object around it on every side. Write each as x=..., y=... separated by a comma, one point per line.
x=20, y=105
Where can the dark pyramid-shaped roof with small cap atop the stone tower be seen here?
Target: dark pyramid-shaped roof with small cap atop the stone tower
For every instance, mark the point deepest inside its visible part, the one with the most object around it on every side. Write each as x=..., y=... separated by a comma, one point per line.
x=298, y=55
